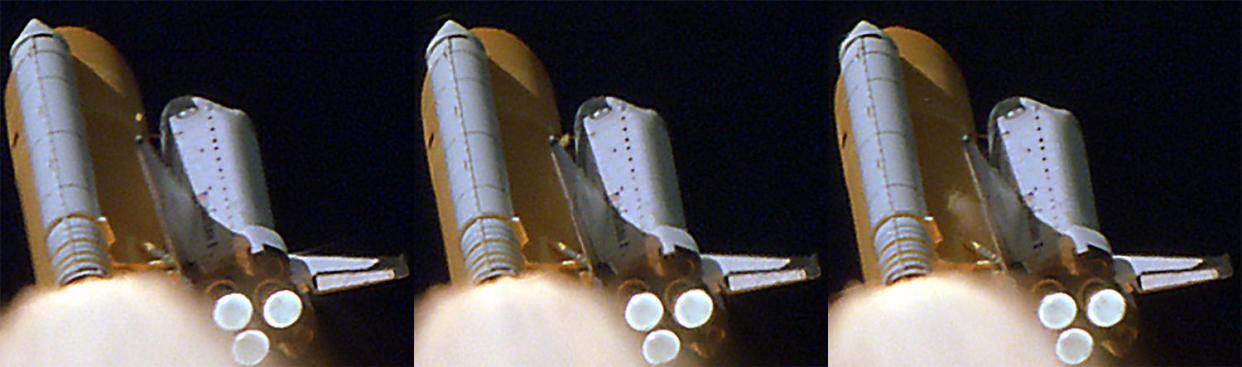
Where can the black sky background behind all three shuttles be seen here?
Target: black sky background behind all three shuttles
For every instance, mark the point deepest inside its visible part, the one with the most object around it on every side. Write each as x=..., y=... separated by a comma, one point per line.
x=333, y=91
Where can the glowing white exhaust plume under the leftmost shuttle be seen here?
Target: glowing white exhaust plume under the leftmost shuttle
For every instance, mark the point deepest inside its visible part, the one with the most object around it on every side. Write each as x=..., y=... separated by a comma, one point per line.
x=129, y=320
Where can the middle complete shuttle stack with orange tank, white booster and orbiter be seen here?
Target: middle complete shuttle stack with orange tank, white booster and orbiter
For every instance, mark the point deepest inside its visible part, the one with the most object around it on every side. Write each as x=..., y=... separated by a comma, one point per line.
x=603, y=203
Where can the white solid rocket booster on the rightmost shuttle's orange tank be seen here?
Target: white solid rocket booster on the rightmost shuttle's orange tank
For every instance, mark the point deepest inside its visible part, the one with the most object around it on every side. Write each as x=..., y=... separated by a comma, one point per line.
x=885, y=140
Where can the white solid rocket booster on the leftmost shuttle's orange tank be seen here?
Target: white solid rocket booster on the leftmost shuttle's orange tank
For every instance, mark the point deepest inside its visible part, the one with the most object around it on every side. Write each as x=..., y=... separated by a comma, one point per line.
x=57, y=134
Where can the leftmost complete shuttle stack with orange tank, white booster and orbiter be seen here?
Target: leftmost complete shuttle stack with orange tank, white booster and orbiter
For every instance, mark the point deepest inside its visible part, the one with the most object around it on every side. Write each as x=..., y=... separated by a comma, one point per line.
x=99, y=200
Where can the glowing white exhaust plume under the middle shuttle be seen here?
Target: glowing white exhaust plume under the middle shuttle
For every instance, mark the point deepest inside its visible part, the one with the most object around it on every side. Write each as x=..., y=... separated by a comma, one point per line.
x=533, y=320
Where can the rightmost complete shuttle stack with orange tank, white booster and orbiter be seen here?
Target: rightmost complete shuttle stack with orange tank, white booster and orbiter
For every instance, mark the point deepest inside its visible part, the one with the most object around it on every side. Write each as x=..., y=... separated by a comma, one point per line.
x=925, y=196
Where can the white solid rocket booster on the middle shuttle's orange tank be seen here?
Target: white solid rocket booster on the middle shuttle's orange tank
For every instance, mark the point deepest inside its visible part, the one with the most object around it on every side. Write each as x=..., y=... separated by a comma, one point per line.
x=471, y=135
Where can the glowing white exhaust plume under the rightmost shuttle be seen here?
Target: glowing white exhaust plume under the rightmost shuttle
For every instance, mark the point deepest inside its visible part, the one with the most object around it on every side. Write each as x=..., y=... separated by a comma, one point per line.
x=938, y=320
